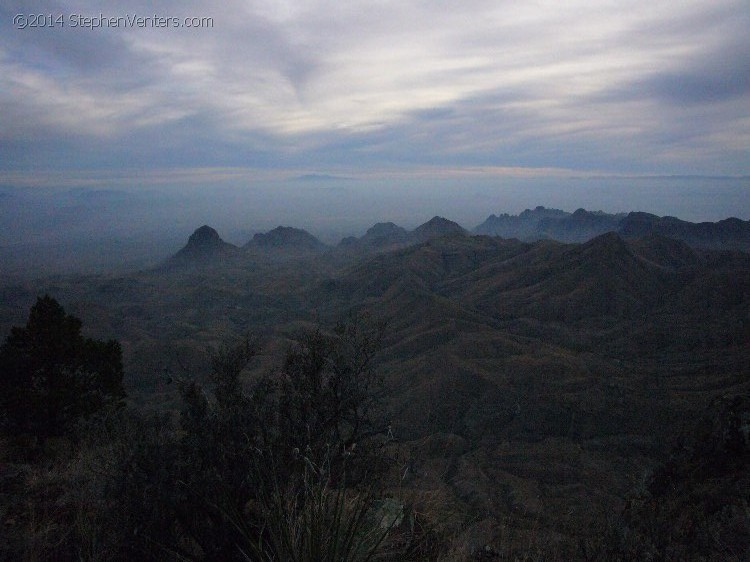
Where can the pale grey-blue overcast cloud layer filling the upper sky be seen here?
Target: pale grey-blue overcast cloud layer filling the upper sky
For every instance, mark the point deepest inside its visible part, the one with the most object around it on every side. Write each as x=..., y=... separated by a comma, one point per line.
x=641, y=87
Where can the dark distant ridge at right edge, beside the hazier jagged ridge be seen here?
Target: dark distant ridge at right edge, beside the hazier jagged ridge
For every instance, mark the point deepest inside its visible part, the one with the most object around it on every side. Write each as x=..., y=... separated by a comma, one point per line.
x=731, y=233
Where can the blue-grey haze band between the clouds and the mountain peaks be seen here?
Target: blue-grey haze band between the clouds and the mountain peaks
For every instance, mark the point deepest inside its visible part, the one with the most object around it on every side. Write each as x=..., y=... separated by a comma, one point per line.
x=134, y=223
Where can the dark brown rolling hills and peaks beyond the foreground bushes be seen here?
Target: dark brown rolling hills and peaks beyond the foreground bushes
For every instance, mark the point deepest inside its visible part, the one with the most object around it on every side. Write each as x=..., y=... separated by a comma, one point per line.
x=547, y=400
